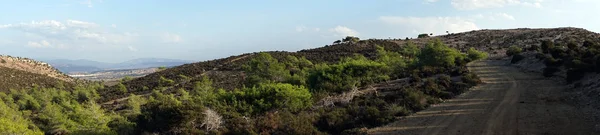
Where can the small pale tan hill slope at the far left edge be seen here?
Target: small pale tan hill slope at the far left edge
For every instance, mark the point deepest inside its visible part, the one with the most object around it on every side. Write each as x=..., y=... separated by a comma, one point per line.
x=19, y=73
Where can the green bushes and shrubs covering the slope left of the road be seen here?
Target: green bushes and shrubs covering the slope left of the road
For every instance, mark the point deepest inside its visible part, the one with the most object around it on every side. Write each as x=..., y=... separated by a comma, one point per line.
x=281, y=95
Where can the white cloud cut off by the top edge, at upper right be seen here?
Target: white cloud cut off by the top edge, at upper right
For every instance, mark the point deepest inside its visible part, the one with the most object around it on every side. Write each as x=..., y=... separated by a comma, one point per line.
x=479, y=4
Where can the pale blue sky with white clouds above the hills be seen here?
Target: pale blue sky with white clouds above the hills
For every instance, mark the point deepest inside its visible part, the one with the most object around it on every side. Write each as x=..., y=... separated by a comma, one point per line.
x=119, y=30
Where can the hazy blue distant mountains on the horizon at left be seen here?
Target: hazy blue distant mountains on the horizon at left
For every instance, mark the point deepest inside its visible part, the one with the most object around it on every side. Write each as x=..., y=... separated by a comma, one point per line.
x=82, y=65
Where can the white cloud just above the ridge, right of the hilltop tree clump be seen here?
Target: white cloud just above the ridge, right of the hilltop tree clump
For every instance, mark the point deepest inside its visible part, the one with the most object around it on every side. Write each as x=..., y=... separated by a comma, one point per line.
x=436, y=25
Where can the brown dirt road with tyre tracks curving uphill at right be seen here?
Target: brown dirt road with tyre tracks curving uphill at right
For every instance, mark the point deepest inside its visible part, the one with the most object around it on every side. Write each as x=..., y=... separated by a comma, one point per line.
x=509, y=102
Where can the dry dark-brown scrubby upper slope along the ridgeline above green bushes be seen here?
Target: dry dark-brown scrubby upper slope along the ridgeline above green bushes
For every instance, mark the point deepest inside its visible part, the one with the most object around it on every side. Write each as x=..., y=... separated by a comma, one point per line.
x=227, y=72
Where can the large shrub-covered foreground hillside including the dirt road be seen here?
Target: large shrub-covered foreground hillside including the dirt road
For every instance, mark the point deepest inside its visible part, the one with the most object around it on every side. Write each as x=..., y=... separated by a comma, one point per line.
x=430, y=85
